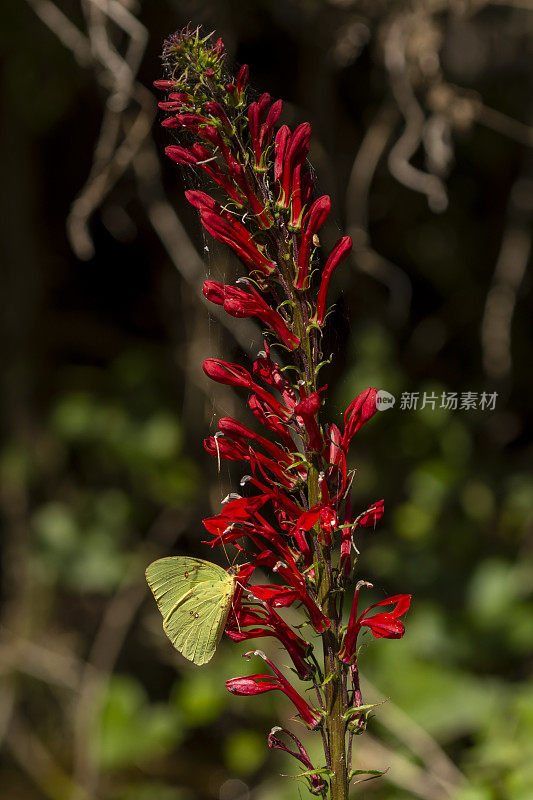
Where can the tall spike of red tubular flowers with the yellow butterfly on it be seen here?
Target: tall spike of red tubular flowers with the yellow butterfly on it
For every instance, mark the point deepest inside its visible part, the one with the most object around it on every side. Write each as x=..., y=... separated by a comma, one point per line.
x=292, y=519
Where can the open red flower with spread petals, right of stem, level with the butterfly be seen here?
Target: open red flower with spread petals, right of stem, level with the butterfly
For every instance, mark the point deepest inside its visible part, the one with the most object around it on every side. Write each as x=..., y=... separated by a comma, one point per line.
x=383, y=625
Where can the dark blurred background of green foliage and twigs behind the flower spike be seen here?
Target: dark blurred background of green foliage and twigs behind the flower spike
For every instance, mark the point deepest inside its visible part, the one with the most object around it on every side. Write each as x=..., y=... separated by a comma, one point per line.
x=422, y=116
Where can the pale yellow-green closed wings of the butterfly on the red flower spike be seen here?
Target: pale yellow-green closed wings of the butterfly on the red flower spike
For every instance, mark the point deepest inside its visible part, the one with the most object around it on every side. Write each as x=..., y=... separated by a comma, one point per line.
x=194, y=597
